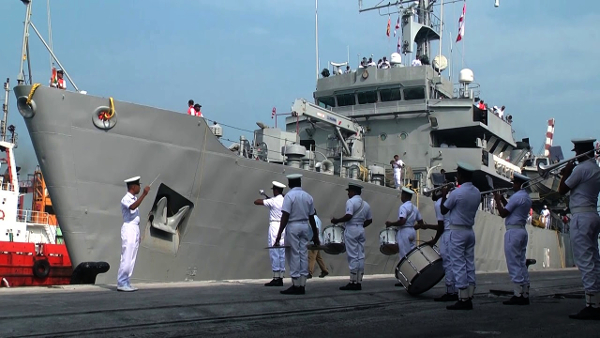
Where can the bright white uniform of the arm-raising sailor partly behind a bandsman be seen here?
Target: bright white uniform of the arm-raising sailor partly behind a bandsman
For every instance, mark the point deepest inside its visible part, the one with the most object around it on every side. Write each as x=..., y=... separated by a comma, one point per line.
x=277, y=255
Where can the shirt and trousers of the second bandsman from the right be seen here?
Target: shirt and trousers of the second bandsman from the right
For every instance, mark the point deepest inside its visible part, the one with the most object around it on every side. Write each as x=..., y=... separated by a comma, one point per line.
x=515, y=241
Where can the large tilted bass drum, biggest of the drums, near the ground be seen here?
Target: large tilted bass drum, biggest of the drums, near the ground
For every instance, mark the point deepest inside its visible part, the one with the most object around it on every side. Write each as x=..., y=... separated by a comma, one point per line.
x=421, y=269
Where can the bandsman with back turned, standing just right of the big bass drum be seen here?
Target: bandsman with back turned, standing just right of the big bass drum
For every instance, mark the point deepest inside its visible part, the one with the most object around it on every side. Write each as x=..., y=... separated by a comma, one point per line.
x=462, y=204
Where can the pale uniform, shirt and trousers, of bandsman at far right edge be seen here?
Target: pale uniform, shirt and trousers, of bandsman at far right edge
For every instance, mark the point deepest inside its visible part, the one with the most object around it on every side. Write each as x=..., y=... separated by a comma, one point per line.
x=584, y=183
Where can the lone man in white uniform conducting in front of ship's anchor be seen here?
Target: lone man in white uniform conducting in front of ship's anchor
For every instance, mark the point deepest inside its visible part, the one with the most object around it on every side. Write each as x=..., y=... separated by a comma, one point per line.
x=130, y=232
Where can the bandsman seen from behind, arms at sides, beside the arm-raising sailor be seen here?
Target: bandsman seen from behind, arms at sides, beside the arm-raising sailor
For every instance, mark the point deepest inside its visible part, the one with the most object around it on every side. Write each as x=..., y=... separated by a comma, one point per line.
x=297, y=213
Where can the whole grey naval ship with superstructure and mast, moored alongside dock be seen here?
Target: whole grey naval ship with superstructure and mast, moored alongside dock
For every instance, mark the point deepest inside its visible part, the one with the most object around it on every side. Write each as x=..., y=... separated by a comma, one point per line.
x=199, y=222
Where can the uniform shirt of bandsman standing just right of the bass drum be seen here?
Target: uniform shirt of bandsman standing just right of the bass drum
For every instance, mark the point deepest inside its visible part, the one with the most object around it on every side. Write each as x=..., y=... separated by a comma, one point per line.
x=463, y=203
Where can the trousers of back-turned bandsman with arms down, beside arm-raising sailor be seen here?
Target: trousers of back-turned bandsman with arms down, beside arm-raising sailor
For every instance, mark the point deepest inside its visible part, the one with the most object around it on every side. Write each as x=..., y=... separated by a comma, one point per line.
x=297, y=236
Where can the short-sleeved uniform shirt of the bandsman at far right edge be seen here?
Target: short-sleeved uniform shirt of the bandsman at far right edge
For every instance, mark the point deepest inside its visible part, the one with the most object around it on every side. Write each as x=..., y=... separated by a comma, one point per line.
x=584, y=183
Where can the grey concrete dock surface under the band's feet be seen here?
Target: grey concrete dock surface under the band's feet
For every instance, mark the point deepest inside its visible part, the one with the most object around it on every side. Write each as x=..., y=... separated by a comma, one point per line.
x=249, y=309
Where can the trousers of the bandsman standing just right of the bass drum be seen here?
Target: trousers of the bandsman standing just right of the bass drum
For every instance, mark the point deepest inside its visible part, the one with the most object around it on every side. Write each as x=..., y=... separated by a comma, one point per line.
x=462, y=255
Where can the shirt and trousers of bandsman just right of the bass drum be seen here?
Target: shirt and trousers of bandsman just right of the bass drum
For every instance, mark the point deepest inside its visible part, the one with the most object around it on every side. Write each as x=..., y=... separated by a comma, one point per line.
x=463, y=203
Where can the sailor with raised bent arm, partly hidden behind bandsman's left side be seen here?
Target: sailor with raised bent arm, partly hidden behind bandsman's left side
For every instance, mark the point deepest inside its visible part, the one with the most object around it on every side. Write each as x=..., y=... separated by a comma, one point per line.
x=277, y=255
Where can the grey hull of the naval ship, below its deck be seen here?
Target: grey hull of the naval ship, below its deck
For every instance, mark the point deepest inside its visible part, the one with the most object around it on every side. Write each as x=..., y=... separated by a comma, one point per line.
x=224, y=235
